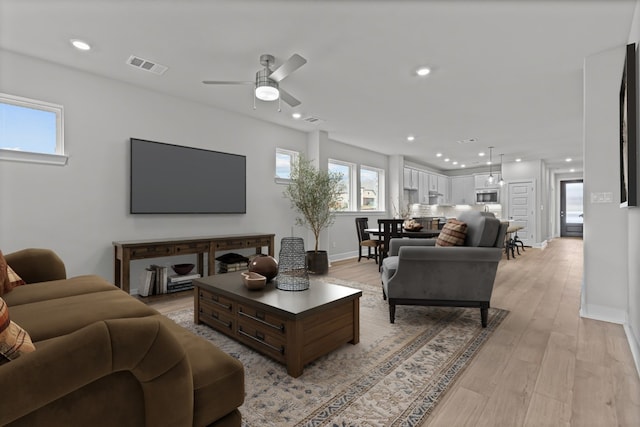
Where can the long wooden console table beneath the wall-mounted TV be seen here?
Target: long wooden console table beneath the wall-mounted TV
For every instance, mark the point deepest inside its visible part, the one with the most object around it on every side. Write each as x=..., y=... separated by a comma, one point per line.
x=126, y=251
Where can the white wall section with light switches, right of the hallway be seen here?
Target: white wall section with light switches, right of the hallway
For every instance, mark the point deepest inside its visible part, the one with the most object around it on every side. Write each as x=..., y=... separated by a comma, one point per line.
x=606, y=231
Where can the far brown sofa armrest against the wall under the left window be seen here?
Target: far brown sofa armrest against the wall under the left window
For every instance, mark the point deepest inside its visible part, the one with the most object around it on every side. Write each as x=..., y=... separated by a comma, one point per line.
x=37, y=265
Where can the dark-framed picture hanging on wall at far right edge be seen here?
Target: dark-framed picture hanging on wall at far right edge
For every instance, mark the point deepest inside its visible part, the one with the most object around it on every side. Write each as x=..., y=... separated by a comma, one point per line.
x=629, y=157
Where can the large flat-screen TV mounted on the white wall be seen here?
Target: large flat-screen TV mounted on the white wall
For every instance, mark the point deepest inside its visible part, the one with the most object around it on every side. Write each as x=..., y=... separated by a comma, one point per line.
x=173, y=179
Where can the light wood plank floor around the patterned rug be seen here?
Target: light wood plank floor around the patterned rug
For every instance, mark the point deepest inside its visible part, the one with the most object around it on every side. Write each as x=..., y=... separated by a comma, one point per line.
x=544, y=365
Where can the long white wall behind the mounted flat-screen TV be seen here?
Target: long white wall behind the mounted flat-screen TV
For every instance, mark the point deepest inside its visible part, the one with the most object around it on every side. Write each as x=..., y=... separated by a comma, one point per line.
x=79, y=209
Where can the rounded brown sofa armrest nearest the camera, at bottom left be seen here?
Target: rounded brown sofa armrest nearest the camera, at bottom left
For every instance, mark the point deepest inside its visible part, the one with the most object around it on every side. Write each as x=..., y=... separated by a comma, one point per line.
x=141, y=346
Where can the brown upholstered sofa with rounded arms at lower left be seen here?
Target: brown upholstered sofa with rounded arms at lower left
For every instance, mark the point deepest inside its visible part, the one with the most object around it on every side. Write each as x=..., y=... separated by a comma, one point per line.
x=104, y=358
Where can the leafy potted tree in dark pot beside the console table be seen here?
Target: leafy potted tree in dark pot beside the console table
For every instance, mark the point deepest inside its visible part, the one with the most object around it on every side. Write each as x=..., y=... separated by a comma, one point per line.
x=315, y=194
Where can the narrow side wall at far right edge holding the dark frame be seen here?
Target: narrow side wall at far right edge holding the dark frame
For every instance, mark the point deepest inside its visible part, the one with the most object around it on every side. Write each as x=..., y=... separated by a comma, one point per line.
x=633, y=255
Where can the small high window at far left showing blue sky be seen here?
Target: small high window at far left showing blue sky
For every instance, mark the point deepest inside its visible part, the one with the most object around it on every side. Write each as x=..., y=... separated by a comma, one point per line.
x=31, y=131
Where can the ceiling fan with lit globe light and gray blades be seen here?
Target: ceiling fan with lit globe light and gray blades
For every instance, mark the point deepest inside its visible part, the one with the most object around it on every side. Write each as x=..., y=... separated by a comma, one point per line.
x=267, y=87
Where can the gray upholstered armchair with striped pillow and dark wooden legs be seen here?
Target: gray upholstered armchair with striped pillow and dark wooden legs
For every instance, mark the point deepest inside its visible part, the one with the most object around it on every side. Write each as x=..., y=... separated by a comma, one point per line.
x=419, y=273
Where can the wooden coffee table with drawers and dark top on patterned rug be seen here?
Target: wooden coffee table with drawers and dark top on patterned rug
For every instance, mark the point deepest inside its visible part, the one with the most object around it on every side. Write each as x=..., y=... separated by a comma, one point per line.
x=293, y=327
